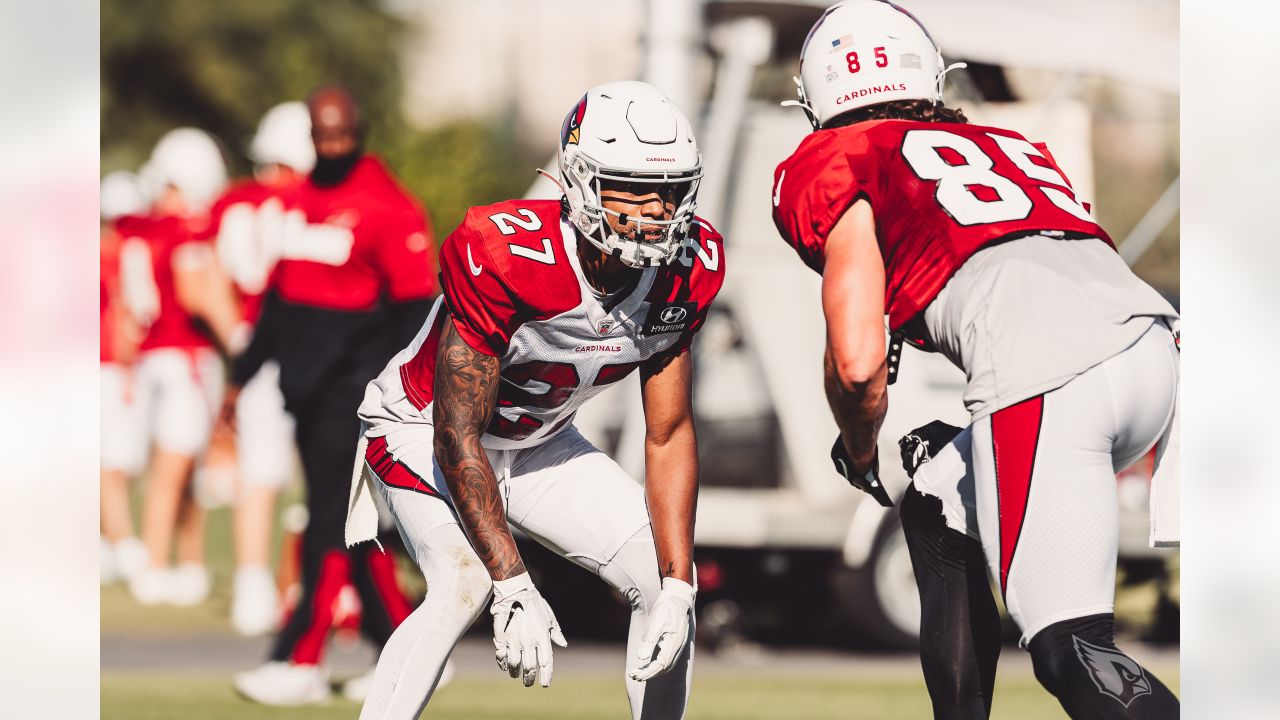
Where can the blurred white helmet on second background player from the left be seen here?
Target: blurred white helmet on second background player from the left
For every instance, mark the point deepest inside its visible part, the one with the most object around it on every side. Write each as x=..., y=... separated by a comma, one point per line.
x=190, y=161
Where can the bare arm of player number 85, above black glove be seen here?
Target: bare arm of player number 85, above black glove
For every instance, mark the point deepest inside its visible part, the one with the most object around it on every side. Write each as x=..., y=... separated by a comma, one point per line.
x=853, y=300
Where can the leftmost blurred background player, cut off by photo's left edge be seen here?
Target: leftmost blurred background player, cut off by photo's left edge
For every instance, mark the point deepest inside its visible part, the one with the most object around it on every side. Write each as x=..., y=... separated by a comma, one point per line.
x=124, y=452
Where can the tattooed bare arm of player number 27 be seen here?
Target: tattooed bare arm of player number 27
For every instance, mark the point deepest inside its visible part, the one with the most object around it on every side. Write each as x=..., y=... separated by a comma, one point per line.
x=467, y=390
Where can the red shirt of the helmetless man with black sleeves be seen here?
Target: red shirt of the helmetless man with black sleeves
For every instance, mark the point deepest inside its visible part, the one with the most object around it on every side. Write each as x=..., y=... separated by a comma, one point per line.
x=353, y=241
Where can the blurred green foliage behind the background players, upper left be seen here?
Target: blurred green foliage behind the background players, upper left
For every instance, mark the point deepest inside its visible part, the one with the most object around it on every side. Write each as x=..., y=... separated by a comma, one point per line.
x=221, y=66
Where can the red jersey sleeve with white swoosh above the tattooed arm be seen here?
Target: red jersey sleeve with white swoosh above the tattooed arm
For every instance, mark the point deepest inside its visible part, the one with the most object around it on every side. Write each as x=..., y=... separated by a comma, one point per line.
x=483, y=308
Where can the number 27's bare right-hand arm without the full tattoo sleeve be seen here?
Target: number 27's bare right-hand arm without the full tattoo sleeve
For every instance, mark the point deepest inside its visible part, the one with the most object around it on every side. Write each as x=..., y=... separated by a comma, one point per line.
x=671, y=462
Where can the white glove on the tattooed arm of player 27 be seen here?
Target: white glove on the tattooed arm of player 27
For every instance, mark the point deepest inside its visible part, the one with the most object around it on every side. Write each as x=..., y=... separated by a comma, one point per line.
x=524, y=628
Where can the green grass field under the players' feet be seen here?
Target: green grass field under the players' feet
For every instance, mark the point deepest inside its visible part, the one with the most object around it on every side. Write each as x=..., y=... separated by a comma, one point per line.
x=181, y=692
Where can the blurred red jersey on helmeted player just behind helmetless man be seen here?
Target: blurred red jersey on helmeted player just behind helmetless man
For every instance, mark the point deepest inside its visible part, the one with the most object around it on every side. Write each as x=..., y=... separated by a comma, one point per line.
x=248, y=227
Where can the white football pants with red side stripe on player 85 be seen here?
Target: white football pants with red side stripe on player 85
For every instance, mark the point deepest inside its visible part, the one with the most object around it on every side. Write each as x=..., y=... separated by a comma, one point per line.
x=1036, y=482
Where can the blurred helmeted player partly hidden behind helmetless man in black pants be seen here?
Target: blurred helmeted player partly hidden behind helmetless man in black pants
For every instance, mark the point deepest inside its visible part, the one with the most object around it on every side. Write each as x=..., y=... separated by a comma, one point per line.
x=248, y=226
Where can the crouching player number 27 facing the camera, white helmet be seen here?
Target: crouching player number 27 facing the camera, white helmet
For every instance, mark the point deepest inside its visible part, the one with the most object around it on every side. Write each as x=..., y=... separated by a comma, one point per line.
x=472, y=426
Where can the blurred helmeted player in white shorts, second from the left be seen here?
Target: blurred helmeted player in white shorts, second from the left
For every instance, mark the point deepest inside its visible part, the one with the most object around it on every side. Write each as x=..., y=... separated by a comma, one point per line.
x=177, y=298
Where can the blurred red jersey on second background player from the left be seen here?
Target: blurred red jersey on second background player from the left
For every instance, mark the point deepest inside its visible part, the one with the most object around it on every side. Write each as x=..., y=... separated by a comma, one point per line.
x=167, y=322
